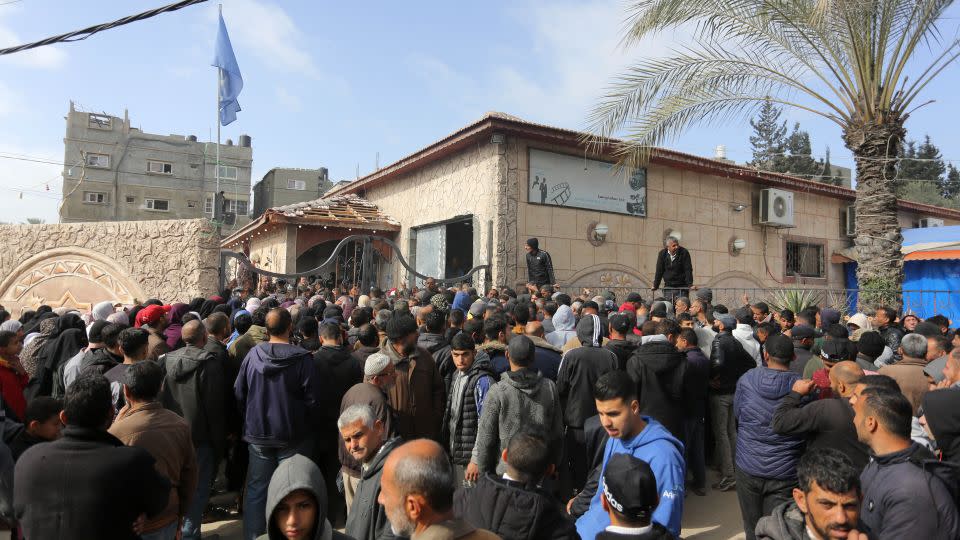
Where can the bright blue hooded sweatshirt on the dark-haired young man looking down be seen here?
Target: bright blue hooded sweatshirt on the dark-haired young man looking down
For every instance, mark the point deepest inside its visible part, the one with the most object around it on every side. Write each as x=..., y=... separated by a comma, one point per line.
x=655, y=445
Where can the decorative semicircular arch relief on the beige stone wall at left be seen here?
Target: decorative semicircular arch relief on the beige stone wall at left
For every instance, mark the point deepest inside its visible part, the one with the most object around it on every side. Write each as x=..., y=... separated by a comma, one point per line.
x=68, y=277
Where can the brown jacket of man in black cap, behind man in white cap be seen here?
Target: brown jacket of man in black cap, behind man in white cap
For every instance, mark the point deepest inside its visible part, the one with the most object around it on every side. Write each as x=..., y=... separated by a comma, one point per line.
x=419, y=396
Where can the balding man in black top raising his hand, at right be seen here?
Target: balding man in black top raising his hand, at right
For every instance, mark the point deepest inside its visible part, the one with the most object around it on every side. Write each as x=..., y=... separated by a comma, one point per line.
x=827, y=423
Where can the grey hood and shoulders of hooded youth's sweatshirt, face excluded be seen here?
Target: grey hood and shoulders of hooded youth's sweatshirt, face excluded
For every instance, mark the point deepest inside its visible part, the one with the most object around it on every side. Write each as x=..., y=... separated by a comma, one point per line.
x=292, y=474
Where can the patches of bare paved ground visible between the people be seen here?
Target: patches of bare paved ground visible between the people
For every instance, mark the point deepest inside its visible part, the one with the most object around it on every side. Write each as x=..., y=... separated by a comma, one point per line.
x=714, y=517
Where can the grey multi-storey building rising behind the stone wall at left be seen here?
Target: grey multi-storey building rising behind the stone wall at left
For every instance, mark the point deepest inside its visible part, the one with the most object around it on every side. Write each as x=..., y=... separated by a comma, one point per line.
x=116, y=172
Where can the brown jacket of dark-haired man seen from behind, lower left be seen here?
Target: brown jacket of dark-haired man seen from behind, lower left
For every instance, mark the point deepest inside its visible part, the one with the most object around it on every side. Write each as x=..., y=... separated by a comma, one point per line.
x=166, y=436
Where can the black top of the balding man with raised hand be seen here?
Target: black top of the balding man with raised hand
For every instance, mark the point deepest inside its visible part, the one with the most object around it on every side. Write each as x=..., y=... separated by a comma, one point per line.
x=827, y=423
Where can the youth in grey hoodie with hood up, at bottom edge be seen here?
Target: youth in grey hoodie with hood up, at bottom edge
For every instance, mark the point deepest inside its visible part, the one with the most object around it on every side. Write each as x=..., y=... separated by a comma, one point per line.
x=297, y=503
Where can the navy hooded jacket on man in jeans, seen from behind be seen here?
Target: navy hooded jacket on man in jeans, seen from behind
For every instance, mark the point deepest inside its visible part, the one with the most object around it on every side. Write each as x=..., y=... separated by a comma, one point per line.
x=277, y=392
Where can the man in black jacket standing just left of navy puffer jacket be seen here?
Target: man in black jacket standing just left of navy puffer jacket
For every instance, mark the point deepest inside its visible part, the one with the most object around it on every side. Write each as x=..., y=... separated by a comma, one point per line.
x=728, y=361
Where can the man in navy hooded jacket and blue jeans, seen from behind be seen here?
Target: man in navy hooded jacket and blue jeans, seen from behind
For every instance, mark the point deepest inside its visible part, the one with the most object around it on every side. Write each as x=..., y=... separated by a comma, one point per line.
x=277, y=392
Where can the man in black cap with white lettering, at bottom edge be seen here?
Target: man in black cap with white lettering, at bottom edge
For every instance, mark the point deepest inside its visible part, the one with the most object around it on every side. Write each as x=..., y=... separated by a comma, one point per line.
x=629, y=498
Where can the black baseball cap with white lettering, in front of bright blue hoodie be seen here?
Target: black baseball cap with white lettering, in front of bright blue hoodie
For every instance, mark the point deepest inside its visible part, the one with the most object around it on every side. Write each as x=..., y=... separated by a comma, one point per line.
x=630, y=487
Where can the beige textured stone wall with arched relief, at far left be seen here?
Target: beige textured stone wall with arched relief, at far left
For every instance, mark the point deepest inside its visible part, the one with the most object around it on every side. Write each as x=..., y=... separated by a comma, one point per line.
x=80, y=264
